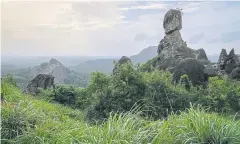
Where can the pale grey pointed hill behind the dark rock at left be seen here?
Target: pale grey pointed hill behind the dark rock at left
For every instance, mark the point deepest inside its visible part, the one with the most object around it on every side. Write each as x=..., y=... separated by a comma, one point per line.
x=62, y=75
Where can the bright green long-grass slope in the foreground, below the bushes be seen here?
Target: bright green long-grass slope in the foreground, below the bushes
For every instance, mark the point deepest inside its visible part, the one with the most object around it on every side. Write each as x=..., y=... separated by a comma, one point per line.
x=29, y=120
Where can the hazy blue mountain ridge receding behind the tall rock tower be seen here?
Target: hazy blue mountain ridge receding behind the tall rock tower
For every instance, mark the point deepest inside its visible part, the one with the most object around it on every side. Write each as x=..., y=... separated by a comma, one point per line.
x=106, y=65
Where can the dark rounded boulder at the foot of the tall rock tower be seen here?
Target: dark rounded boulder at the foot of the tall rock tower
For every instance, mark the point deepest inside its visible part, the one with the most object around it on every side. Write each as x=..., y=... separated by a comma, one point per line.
x=193, y=69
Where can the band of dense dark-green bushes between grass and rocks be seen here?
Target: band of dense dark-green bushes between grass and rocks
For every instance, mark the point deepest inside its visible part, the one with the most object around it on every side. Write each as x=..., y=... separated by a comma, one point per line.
x=152, y=91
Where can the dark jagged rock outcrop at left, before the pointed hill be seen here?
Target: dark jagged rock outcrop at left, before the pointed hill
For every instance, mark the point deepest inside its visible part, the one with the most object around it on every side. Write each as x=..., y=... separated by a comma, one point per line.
x=43, y=81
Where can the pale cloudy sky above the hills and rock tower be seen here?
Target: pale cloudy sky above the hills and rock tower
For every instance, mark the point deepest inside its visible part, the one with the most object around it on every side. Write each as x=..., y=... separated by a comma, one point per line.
x=57, y=28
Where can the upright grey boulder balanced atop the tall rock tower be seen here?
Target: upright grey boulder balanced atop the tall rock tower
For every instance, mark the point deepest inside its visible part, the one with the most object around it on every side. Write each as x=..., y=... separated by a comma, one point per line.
x=172, y=21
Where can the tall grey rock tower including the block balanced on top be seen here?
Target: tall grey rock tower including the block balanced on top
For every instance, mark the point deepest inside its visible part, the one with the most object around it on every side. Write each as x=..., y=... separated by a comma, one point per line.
x=172, y=49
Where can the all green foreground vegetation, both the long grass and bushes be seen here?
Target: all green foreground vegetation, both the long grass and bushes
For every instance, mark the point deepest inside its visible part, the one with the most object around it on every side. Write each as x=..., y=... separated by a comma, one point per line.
x=129, y=106
